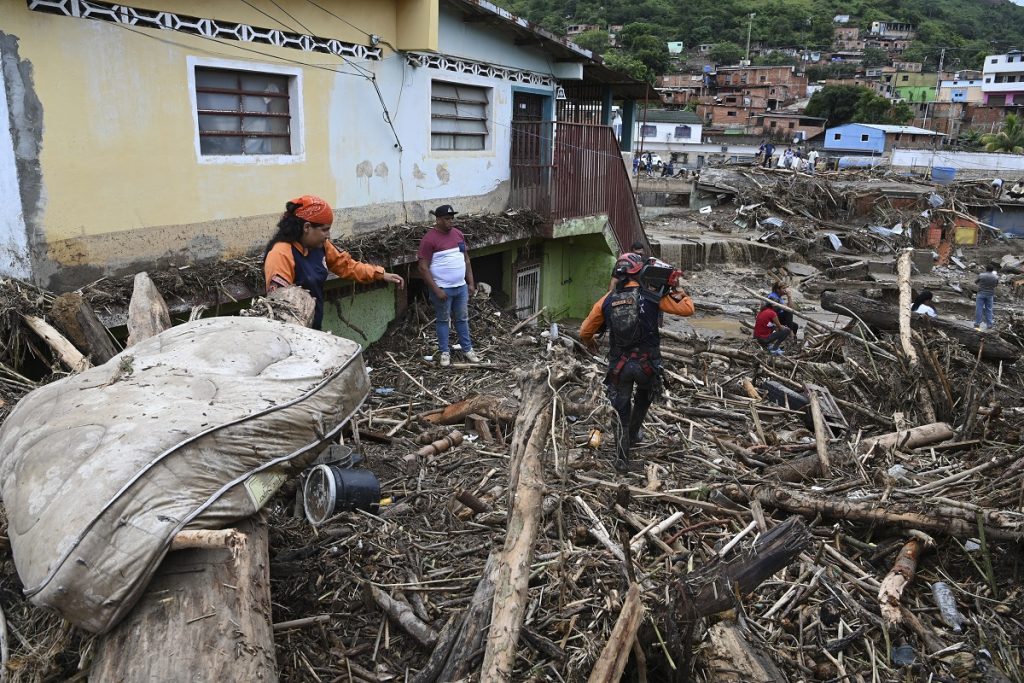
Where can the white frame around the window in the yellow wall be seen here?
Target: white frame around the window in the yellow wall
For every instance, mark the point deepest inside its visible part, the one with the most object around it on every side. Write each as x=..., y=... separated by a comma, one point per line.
x=296, y=110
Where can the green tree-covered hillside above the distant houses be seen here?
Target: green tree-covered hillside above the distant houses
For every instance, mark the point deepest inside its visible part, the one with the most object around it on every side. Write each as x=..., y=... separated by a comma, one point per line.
x=968, y=29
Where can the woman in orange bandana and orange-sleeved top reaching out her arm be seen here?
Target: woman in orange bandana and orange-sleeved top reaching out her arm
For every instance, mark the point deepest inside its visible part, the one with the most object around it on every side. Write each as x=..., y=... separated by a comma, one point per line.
x=302, y=253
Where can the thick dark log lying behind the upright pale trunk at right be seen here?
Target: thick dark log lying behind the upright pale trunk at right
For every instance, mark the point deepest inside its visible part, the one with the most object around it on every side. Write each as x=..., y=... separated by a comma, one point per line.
x=884, y=317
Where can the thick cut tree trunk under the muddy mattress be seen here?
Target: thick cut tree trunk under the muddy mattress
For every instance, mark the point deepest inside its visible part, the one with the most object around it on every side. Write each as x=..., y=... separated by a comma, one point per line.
x=205, y=617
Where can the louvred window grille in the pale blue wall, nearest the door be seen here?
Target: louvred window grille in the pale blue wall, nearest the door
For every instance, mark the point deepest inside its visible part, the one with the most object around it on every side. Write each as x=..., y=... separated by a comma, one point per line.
x=458, y=116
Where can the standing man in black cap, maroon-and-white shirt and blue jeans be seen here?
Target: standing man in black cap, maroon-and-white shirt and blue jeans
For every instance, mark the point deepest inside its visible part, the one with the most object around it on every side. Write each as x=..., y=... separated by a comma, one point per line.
x=445, y=267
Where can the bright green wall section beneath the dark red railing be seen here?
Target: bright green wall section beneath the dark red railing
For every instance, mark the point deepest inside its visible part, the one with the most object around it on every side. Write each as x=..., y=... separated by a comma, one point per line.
x=576, y=274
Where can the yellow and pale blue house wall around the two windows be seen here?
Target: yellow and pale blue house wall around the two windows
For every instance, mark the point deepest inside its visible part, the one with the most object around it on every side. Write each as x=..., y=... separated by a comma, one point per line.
x=105, y=138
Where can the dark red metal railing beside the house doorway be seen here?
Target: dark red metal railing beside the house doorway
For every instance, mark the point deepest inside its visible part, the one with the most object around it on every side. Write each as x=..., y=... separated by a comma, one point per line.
x=571, y=170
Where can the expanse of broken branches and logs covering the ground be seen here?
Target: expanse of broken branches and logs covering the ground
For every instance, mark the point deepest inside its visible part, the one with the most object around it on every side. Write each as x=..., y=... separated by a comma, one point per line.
x=772, y=532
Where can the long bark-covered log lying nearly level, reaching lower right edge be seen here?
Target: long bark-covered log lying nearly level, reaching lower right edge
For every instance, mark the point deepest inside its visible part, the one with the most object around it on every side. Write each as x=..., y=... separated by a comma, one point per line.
x=945, y=520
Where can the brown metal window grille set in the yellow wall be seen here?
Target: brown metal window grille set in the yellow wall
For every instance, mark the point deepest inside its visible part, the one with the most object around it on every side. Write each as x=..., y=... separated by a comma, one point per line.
x=243, y=113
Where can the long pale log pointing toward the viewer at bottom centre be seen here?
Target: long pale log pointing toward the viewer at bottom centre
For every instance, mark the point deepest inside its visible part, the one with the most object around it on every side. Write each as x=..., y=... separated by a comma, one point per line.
x=527, y=487
